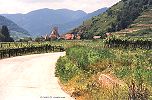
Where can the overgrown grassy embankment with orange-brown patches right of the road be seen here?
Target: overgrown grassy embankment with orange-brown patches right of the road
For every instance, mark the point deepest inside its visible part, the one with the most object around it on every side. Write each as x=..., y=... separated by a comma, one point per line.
x=82, y=70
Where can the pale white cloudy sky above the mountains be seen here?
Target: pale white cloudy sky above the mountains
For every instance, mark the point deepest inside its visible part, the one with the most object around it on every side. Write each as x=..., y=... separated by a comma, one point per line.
x=25, y=6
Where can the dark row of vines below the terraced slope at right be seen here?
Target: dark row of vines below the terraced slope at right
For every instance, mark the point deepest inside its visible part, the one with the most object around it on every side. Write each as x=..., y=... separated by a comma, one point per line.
x=132, y=43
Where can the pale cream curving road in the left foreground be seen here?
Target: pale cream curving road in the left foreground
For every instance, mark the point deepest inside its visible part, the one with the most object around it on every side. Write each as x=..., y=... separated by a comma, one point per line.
x=30, y=78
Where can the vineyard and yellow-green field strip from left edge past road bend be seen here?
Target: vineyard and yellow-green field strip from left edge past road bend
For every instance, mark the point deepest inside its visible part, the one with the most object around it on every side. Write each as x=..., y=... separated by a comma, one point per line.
x=12, y=49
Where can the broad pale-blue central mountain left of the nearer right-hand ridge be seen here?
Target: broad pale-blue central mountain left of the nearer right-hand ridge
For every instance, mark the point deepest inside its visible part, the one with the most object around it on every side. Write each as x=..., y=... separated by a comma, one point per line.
x=41, y=21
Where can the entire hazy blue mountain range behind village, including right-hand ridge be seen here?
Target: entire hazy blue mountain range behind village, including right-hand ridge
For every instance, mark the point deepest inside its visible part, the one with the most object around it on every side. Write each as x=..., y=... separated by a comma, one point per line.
x=40, y=22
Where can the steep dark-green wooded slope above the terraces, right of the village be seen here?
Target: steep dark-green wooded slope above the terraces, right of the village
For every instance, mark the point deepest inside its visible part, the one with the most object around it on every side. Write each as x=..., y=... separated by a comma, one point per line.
x=116, y=18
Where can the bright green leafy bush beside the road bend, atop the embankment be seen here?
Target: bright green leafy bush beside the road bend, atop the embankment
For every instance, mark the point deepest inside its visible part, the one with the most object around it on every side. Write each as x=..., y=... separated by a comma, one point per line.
x=83, y=56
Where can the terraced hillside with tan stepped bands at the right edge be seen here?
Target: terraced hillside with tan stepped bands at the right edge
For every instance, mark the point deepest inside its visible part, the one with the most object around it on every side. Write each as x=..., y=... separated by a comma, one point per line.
x=141, y=27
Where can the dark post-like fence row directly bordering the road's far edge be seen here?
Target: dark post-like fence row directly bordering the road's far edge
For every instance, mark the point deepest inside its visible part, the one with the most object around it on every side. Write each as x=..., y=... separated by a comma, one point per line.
x=29, y=50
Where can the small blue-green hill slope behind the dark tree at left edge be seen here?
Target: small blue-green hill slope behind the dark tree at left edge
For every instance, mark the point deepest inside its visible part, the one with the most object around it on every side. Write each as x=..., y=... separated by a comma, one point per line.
x=15, y=30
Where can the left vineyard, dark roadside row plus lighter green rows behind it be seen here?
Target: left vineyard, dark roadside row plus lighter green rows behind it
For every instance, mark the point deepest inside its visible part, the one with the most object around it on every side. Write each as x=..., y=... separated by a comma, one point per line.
x=21, y=48
